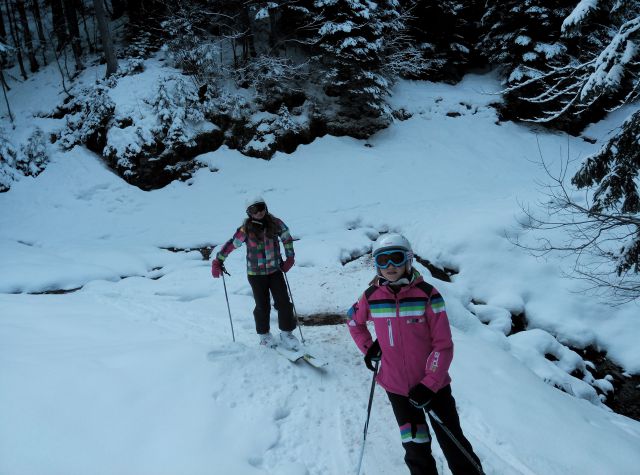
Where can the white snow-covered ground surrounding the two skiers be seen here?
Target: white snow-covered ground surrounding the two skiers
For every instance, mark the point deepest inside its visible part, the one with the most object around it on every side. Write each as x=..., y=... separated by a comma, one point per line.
x=135, y=373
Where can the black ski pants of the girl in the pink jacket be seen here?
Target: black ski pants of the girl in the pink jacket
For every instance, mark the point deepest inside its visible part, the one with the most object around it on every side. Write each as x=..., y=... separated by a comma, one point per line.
x=416, y=439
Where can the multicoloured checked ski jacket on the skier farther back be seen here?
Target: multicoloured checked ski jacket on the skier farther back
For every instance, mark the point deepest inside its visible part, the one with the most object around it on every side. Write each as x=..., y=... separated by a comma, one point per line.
x=263, y=253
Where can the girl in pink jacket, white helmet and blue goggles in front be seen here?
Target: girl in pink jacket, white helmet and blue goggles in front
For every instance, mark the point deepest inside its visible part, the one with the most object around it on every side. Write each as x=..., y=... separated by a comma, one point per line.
x=415, y=346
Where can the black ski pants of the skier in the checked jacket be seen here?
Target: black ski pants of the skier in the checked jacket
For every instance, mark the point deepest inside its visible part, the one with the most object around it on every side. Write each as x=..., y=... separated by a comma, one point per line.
x=262, y=285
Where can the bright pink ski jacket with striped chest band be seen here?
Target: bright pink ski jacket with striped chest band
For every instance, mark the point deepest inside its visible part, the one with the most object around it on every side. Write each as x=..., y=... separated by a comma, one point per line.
x=413, y=331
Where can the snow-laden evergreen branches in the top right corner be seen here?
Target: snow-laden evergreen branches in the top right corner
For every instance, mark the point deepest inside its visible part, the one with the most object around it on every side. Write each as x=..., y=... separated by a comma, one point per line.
x=599, y=72
